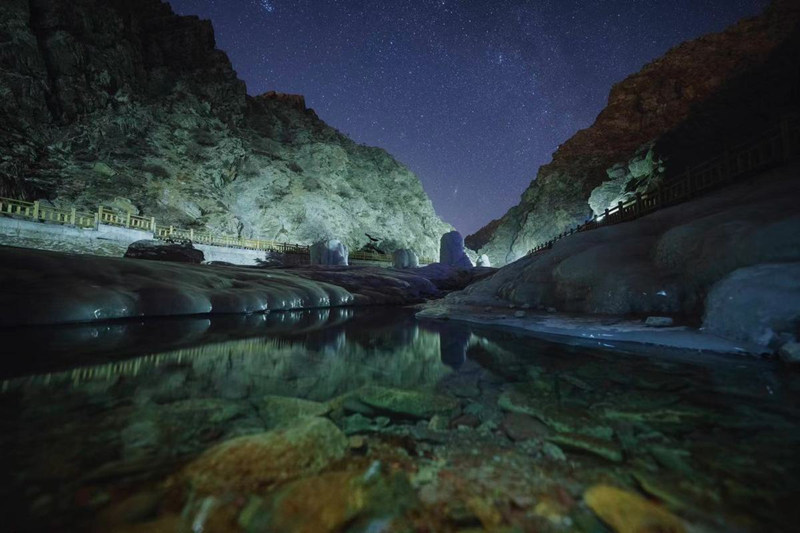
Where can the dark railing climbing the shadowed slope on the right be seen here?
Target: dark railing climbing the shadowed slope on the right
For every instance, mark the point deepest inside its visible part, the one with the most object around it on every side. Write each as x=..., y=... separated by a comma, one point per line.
x=775, y=147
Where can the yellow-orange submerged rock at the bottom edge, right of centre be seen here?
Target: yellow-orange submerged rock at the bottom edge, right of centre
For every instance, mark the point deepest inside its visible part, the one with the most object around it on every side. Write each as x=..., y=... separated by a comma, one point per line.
x=627, y=512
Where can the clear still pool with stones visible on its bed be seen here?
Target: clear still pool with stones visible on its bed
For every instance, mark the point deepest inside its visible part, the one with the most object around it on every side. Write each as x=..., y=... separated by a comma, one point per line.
x=370, y=420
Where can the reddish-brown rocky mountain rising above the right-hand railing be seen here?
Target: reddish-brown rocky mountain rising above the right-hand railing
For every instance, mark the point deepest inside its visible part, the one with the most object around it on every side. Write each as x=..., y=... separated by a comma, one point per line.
x=687, y=106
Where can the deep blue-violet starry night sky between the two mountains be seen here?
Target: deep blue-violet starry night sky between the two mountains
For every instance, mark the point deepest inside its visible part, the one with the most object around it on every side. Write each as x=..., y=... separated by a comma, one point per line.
x=472, y=95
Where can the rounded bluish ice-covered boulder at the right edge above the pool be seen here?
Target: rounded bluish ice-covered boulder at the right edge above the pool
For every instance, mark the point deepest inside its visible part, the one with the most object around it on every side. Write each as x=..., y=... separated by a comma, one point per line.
x=759, y=304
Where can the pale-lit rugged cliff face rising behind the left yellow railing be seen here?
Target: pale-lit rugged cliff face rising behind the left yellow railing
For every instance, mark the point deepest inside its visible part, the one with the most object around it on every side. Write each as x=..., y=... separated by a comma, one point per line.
x=125, y=104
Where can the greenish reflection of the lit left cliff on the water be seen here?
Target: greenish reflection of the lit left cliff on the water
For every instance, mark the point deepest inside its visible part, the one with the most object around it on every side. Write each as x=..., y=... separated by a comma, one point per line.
x=319, y=366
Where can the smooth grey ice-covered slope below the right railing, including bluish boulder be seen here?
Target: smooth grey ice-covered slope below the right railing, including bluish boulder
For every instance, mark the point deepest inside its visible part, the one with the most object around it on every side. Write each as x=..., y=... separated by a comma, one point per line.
x=729, y=258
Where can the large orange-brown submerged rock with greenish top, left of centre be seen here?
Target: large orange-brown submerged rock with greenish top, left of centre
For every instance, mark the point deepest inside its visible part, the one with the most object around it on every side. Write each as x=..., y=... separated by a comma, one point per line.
x=256, y=462
